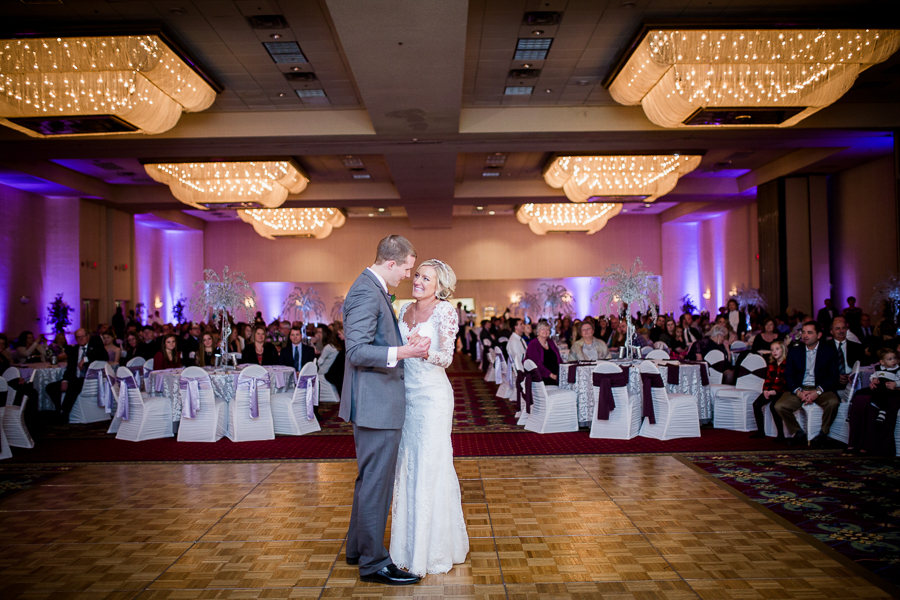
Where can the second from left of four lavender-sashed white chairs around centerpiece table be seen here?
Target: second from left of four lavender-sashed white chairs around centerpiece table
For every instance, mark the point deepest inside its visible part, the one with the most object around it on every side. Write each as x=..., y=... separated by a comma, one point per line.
x=203, y=416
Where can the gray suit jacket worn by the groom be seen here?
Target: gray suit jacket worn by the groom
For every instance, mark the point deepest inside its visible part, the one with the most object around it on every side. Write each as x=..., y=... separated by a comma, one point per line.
x=373, y=395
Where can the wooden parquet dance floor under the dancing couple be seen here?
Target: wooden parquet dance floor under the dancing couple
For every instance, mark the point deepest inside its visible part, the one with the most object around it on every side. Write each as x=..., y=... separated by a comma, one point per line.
x=562, y=528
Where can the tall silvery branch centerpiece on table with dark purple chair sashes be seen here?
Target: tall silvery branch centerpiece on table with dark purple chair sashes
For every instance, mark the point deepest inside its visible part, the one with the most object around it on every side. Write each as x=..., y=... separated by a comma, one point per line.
x=634, y=289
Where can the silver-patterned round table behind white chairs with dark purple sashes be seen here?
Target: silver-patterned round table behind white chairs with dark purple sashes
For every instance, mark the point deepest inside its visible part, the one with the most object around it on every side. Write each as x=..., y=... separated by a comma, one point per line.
x=689, y=383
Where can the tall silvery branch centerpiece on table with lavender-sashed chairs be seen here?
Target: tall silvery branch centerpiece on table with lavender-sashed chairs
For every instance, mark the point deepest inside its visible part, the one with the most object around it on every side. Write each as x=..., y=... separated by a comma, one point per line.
x=223, y=296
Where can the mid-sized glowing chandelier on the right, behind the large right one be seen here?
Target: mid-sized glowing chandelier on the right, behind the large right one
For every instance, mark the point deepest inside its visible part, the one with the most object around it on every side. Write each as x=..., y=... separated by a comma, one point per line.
x=633, y=177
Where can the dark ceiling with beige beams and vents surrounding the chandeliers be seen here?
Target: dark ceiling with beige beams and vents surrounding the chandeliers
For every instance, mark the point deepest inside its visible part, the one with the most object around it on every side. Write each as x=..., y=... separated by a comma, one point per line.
x=411, y=112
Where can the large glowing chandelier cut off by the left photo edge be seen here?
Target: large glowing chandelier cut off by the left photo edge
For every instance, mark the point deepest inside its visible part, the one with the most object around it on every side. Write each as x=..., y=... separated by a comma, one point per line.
x=98, y=85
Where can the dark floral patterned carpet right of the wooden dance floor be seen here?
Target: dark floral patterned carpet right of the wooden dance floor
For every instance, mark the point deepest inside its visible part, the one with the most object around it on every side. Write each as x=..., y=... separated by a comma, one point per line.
x=851, y=504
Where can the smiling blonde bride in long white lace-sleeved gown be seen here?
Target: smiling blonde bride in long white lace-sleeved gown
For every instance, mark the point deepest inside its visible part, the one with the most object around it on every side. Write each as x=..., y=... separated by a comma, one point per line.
x=428, y=531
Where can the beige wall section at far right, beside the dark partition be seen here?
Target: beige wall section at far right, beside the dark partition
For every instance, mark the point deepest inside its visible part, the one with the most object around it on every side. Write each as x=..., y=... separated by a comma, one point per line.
x=864, y=233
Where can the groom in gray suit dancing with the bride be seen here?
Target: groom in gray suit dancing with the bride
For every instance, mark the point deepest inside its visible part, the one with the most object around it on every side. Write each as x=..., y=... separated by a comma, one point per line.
x=374, y=400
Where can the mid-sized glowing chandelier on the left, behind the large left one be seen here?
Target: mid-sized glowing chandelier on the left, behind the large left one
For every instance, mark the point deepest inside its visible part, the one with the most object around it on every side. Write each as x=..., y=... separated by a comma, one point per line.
x=251, y=184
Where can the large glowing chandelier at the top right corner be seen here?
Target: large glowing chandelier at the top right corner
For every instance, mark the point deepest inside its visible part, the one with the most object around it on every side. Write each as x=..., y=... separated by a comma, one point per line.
x=745, y=77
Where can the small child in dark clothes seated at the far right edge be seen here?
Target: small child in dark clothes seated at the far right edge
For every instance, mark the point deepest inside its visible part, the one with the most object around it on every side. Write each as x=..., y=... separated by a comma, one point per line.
x=873, y=412
